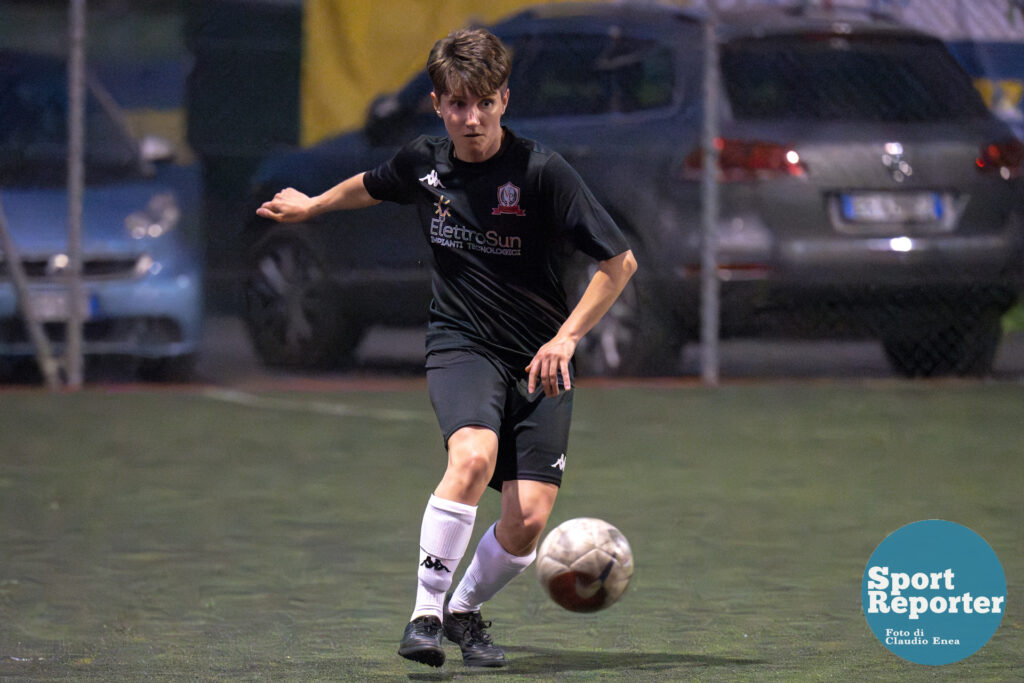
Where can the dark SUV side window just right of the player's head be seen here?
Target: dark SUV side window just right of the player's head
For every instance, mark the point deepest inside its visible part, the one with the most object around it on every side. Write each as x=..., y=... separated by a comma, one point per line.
x=573, y=75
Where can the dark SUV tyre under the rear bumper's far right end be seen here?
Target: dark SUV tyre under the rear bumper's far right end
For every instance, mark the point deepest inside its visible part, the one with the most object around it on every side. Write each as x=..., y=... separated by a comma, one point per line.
x=965, y=348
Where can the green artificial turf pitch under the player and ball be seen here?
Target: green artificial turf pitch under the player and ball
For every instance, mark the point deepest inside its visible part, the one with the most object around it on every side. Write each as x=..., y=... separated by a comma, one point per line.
x=207, y=535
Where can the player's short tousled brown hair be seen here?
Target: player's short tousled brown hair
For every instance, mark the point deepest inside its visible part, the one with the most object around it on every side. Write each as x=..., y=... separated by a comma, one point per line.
x=470, y=62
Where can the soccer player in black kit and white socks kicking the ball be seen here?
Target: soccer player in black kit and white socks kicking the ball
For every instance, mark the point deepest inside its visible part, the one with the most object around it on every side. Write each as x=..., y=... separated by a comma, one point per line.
x=498, y=211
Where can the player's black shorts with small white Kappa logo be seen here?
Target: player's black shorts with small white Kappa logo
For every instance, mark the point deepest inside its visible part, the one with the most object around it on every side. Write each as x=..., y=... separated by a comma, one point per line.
x=470, y=390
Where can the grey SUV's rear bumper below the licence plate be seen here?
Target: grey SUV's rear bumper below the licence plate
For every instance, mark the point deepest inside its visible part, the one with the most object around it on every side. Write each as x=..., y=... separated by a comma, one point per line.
x=857, y=288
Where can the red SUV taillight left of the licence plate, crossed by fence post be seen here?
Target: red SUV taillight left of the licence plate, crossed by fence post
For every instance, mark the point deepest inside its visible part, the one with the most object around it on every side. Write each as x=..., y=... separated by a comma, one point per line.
x=748, y=160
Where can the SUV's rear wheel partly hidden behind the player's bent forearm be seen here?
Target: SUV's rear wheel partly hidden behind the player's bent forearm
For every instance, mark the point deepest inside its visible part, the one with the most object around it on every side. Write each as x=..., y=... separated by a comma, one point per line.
x=631, y=339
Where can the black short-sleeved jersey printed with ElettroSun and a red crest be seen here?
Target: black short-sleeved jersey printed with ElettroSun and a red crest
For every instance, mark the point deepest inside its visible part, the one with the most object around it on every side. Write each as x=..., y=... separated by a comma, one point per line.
x=499, y=232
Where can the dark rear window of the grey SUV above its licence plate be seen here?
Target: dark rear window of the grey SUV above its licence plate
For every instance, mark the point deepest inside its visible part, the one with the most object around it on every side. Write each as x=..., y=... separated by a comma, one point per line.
x=856, y=78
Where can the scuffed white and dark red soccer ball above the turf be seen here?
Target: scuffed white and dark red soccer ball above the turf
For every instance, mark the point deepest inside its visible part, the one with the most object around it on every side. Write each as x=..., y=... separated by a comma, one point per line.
x=585, y=565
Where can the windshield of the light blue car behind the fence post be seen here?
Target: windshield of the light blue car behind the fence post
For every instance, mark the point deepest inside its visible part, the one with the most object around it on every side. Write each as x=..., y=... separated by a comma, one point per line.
x=34, y=130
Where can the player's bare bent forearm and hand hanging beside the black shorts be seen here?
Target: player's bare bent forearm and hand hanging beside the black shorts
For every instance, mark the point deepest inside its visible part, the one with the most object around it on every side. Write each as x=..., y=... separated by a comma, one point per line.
x=553, y=359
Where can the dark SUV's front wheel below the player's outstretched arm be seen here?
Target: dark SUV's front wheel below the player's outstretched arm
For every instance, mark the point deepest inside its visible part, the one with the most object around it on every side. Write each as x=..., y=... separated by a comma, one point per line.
x=294, y=313
